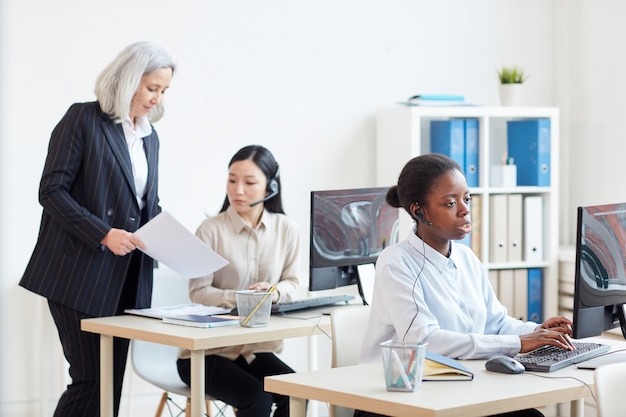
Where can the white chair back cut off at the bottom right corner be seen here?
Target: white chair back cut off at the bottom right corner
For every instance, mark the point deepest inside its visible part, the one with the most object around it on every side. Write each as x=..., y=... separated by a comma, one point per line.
x=609, y=381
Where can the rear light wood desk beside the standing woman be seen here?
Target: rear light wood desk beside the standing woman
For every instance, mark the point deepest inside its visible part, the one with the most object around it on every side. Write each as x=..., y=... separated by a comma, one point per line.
x=194, y=339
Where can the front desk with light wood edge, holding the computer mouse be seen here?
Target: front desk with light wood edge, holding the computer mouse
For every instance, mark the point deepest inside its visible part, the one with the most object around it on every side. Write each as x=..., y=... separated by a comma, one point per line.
x=363, y=387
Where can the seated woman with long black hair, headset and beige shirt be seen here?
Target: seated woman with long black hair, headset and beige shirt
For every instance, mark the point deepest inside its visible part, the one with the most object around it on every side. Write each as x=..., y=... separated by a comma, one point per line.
x=262, y=246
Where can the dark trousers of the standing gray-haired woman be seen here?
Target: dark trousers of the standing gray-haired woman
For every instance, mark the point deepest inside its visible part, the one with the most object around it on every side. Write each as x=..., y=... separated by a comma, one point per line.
x=82, y=351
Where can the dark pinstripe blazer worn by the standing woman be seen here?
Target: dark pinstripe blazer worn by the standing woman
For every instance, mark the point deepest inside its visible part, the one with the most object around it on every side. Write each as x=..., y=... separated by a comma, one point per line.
x=86, y=189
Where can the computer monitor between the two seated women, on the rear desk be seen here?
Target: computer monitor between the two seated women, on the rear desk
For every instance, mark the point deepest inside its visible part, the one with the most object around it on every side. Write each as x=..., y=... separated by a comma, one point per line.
x=349, y=228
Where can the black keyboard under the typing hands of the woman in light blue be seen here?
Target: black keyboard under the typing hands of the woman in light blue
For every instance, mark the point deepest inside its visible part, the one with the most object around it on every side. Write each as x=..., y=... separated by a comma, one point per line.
x=550, y=358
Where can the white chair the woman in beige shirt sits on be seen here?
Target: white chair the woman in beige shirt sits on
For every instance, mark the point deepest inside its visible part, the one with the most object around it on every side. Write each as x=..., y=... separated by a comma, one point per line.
x=156, y=363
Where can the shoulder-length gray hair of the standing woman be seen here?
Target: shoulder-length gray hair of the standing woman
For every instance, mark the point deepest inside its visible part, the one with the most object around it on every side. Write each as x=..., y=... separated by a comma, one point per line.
x=118, y=82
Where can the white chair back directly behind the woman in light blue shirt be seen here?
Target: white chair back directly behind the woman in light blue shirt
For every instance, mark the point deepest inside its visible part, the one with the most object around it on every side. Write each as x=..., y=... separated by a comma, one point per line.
x=348, y=327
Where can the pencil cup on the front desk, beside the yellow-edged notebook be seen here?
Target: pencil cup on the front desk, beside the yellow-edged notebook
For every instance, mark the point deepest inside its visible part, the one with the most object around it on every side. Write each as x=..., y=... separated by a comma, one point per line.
x=403, y=363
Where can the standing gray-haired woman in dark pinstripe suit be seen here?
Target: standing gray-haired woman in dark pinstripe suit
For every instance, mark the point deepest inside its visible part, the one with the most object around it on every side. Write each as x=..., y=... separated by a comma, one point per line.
x=99, y=185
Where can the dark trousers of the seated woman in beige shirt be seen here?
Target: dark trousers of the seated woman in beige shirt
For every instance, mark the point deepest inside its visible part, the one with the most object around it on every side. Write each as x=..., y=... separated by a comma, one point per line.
x=240, y=384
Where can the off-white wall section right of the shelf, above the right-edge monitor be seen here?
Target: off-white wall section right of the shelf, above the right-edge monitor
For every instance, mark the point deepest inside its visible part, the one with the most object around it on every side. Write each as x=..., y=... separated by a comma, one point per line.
x=592, y=100
